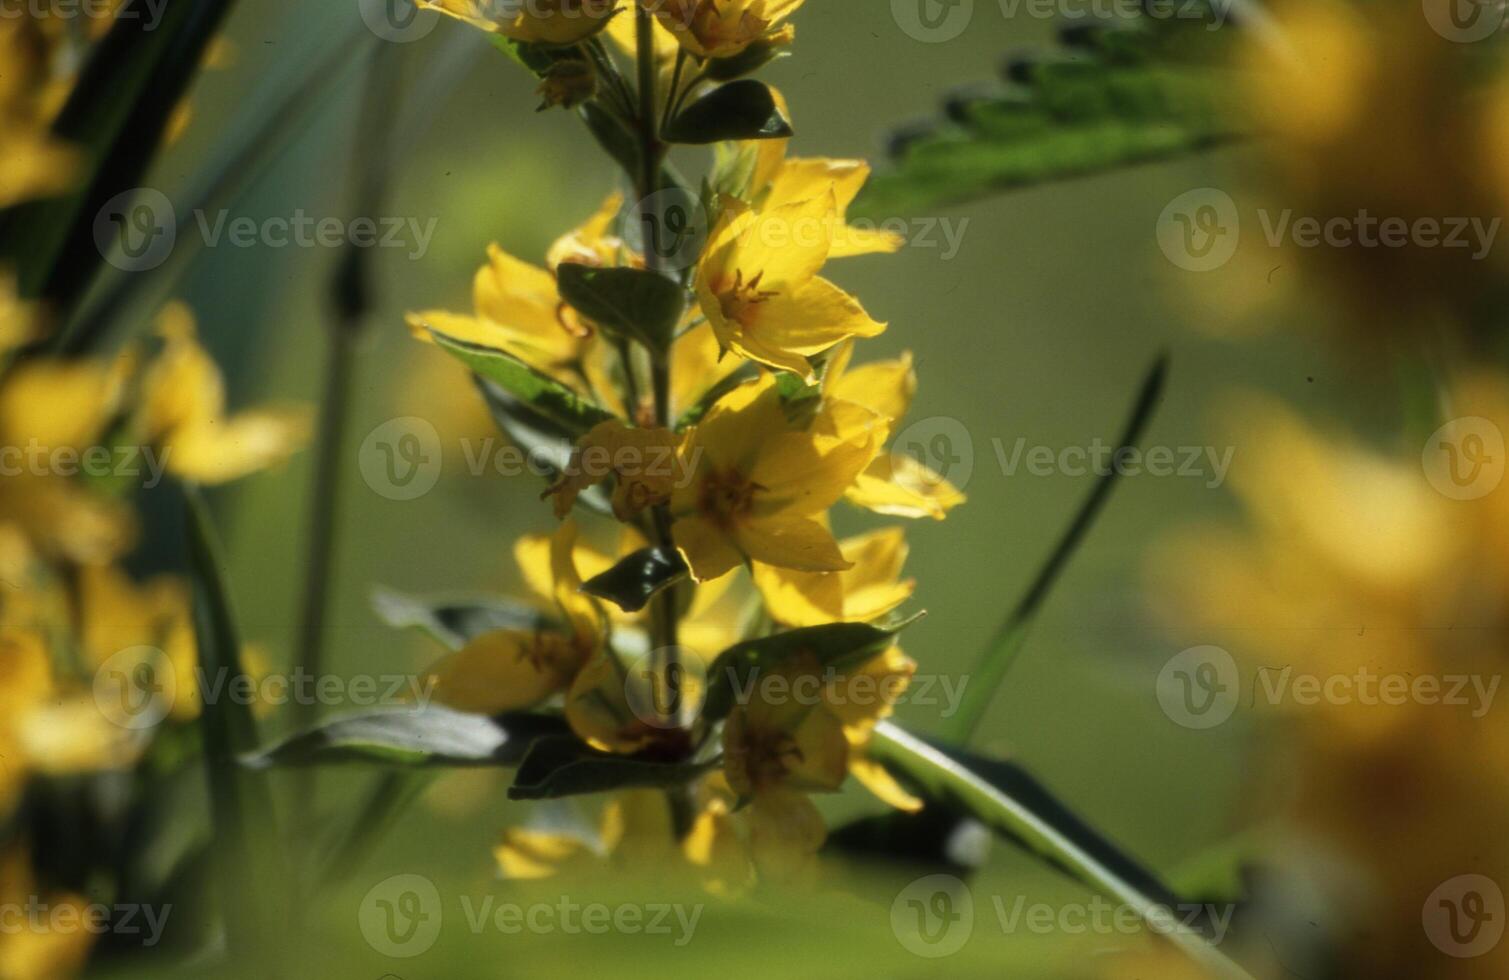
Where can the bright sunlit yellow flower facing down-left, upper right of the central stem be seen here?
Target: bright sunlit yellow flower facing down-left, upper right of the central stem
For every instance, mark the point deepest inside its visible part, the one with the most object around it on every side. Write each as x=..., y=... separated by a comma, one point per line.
x=760, y=288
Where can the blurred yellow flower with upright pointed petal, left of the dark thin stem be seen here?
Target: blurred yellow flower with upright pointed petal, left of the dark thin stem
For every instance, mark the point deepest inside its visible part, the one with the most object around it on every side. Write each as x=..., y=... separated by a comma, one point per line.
x=183, y=411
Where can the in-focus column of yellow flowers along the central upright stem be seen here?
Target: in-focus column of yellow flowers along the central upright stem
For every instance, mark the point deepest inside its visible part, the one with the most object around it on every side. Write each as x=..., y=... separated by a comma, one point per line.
x=718, y=430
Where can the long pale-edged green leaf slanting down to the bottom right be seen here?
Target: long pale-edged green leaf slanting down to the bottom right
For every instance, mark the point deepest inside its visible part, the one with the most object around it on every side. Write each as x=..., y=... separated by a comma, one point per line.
x=1066, y=845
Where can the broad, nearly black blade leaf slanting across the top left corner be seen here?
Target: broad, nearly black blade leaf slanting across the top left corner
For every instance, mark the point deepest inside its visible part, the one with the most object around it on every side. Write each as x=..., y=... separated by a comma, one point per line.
x=117, y=117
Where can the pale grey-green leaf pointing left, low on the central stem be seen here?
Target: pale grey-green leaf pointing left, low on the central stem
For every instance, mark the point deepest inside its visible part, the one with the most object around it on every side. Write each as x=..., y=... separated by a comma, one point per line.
x=411, y=738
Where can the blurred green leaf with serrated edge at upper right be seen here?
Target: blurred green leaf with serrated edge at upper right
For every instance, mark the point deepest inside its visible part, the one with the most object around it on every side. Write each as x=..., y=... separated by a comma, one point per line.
x=1120, y=93
